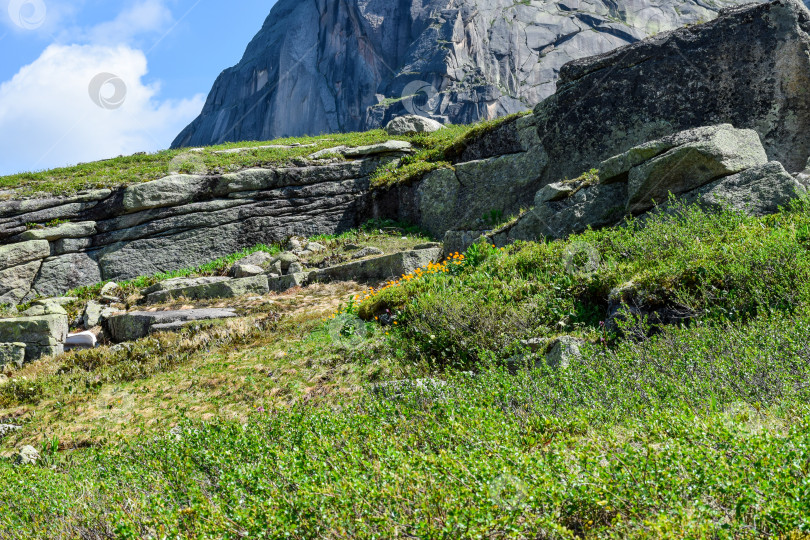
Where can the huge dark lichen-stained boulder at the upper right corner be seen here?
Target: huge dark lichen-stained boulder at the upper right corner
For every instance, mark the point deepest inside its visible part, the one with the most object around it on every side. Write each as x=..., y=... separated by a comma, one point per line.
x=750, y=67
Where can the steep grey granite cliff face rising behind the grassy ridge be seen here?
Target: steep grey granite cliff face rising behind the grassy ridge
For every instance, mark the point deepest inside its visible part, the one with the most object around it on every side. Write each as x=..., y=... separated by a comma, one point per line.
x=321, y=66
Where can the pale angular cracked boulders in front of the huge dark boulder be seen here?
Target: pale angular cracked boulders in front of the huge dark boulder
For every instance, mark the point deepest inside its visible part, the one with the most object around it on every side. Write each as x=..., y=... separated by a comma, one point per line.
x=714, y=166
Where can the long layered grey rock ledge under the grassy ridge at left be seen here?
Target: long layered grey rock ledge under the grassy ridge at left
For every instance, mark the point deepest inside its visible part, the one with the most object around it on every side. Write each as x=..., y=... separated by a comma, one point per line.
x=177, y=222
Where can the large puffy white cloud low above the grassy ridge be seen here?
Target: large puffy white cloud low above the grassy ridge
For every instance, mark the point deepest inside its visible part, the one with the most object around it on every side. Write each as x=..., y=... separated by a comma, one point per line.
x=48, y=119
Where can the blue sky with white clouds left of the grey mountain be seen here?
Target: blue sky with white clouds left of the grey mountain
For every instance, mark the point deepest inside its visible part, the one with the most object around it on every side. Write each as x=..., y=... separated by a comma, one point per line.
x=150, y=64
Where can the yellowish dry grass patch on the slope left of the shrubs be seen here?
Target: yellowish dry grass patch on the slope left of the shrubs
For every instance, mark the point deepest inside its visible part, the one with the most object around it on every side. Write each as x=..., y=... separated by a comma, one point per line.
x=276, y=354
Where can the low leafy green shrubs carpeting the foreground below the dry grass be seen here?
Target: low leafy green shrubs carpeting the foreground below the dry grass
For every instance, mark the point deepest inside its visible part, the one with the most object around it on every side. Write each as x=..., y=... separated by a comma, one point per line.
x=698, y=432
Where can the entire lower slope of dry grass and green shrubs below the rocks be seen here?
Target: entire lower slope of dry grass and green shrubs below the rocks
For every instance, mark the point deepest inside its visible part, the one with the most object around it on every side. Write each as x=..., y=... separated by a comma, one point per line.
x=284, y=425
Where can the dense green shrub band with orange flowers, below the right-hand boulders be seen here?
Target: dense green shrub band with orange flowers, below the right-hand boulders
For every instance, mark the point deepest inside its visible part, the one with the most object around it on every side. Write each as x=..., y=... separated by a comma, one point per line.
x=723, y=266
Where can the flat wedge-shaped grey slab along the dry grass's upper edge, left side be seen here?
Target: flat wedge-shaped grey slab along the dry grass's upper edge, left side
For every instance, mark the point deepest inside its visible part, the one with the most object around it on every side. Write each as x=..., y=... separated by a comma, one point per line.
x=139, y=324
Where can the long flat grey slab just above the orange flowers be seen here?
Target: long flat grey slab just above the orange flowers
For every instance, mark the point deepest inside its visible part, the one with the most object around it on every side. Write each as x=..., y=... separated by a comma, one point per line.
x=380, y=268
